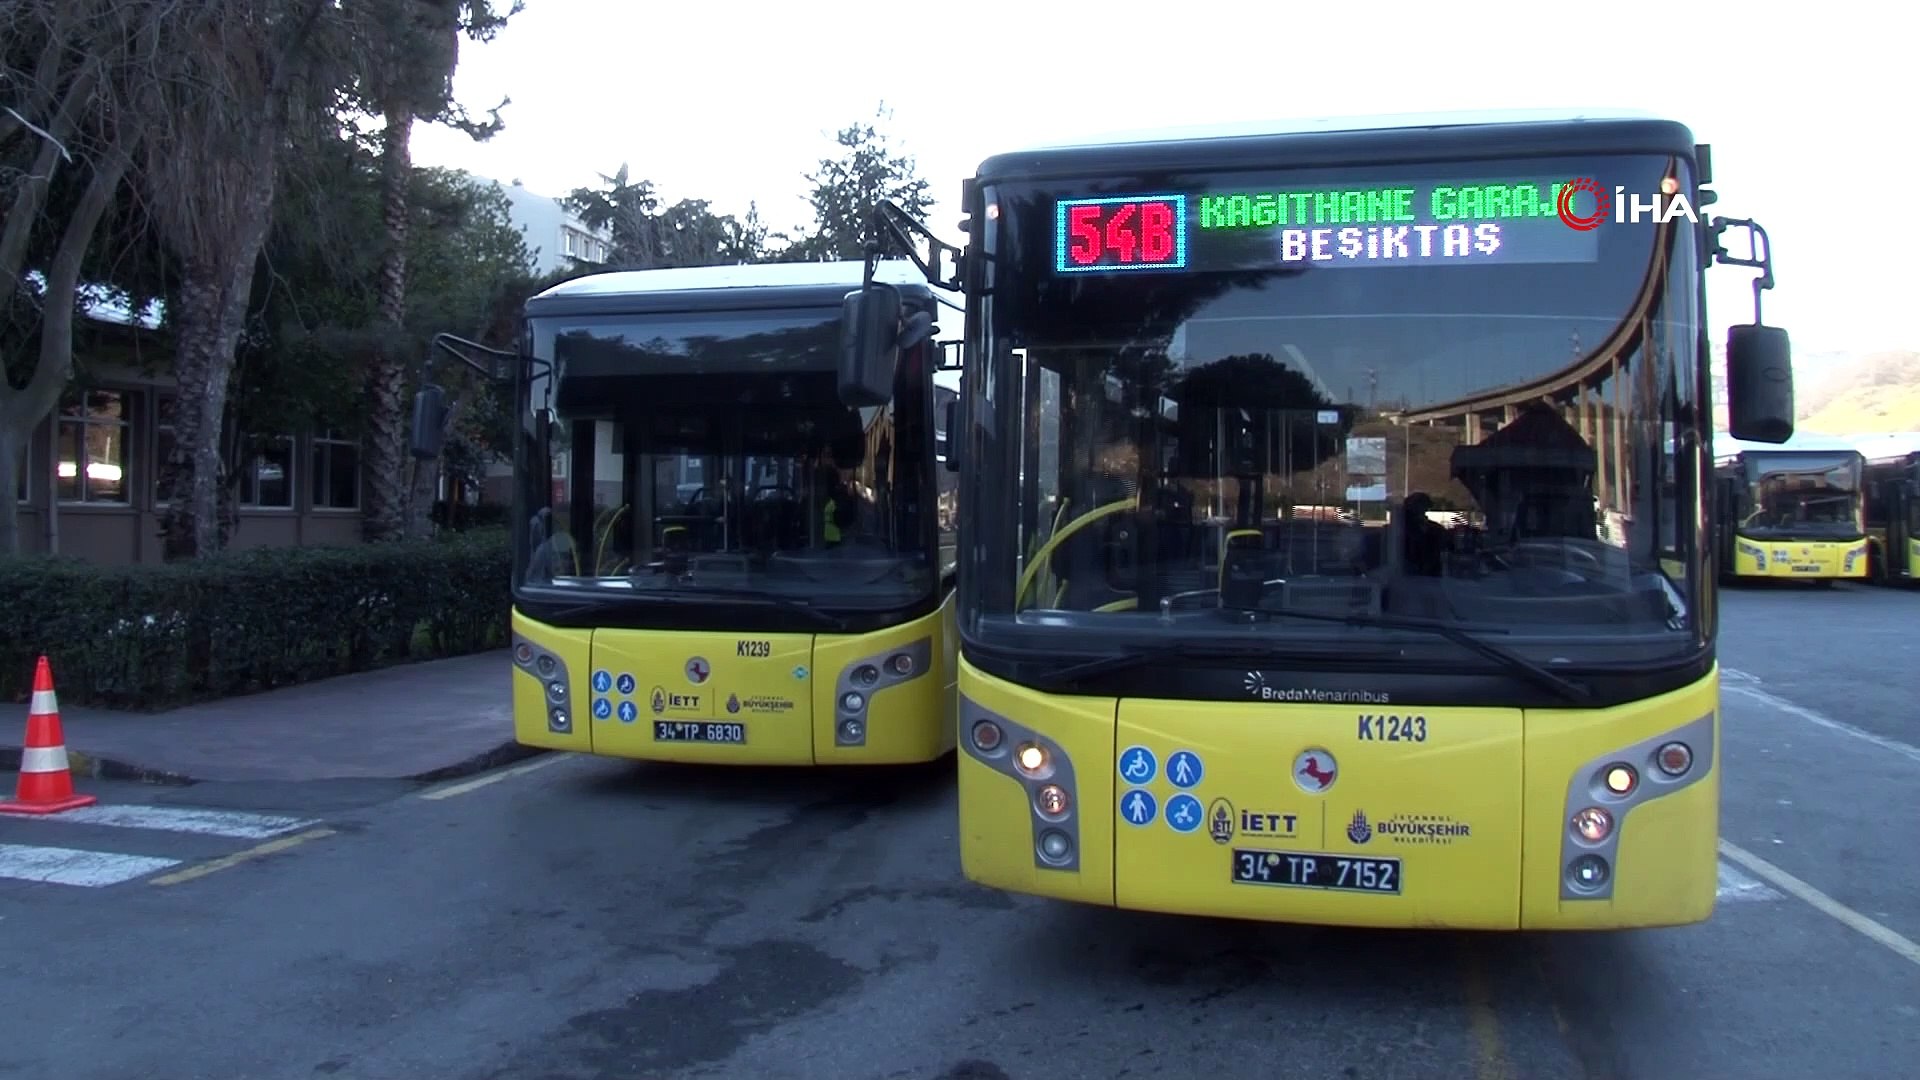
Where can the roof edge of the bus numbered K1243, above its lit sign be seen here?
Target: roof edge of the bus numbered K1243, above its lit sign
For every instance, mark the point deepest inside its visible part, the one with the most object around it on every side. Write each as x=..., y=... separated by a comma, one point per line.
x=1349, y=141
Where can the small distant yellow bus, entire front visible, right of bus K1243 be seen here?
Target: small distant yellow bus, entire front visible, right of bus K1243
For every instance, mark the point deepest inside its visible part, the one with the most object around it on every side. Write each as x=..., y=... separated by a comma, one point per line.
x=1792, y=514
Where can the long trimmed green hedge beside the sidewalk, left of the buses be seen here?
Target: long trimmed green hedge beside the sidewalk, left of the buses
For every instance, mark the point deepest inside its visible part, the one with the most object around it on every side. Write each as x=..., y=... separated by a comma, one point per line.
x=164, y=635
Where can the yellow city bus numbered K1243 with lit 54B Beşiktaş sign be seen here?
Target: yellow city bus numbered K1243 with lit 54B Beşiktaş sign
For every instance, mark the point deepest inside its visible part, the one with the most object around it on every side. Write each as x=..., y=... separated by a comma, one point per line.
x=1186, y=685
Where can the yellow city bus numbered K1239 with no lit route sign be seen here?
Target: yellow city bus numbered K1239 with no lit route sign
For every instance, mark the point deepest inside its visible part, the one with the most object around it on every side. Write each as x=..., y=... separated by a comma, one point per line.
x=727, y=549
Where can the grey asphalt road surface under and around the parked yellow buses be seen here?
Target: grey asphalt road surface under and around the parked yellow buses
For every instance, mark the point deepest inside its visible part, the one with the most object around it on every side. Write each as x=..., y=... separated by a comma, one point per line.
x=577, y=920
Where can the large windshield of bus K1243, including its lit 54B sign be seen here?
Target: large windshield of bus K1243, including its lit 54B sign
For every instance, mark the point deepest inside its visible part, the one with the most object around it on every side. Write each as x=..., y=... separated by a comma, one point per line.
x=1391, y=393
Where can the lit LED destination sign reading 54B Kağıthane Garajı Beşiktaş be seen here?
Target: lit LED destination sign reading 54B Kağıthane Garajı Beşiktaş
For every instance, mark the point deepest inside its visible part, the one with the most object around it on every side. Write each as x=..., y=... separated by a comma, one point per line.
x=1404, y=224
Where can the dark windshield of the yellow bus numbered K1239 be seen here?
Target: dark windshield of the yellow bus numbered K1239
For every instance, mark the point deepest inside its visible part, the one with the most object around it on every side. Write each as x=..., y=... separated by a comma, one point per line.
x=709, y=453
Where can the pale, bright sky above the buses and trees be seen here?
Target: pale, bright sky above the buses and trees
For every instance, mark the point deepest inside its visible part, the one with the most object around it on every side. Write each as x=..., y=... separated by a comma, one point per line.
x=1806, y=109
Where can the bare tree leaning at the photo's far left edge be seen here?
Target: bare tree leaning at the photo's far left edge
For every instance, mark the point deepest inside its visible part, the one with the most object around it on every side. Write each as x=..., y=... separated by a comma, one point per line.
x=78, y=78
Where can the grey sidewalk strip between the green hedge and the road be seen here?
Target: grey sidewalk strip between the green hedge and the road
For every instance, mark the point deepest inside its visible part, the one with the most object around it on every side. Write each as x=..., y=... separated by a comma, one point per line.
x=418, y=722
